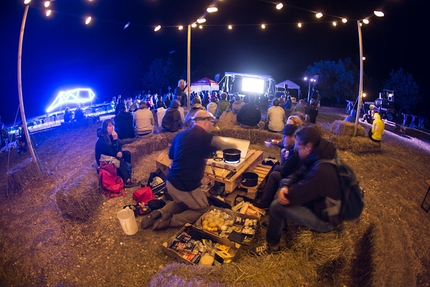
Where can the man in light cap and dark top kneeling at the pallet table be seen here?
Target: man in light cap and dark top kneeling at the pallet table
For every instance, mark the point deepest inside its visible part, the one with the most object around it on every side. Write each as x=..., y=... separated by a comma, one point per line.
x=188, y=153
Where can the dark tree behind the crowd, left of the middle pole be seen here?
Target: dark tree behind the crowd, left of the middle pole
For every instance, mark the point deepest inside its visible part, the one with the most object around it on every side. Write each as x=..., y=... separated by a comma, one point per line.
x=160, y=75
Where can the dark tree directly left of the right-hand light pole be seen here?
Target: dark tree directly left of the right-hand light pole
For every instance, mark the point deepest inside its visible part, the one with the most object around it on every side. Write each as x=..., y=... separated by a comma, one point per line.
x=337, y=81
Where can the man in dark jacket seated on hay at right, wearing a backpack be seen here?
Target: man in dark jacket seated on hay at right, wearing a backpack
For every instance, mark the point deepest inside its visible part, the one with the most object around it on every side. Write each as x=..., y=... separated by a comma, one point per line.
x=302, y=198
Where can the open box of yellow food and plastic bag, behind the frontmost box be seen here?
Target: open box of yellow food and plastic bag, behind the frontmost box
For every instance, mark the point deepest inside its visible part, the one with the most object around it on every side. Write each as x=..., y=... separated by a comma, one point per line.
x=242, y=231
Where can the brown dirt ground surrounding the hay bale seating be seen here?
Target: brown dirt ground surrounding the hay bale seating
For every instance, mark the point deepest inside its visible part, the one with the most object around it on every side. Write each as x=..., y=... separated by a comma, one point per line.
x=41, y=247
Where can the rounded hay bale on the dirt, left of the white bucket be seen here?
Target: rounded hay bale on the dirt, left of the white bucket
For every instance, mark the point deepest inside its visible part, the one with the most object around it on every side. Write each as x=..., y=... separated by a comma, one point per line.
x=79, y=197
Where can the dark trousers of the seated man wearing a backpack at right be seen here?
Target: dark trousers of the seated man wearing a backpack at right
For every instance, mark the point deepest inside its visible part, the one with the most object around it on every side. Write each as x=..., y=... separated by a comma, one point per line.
x=298, y=214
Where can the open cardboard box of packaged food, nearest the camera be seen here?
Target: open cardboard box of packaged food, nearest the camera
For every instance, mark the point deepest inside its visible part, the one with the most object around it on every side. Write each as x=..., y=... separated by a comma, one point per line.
x=179, y=246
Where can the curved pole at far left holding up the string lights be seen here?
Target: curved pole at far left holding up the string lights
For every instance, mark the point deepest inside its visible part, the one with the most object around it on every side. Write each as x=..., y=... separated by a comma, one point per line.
x=21, y=102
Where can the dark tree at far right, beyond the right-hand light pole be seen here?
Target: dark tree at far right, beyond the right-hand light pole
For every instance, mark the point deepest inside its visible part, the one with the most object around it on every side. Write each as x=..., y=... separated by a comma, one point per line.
x=406, y=90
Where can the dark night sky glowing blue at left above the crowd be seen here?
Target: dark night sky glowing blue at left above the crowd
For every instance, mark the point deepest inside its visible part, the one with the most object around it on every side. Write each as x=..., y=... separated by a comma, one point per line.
x=60, y=51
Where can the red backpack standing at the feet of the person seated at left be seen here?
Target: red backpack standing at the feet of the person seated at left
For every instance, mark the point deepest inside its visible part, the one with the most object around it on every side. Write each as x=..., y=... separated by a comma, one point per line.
x=109, y=181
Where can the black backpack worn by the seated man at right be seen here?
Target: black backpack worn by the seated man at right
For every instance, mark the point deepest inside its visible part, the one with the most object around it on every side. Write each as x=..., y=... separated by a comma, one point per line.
x=352, y=195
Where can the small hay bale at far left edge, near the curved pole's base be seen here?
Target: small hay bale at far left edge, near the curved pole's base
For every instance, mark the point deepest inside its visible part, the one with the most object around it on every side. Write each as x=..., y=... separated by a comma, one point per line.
x=22, y=174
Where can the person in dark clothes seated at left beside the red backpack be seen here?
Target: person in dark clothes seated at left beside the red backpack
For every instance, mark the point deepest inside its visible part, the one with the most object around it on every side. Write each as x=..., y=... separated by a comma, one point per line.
x=108, y=144
